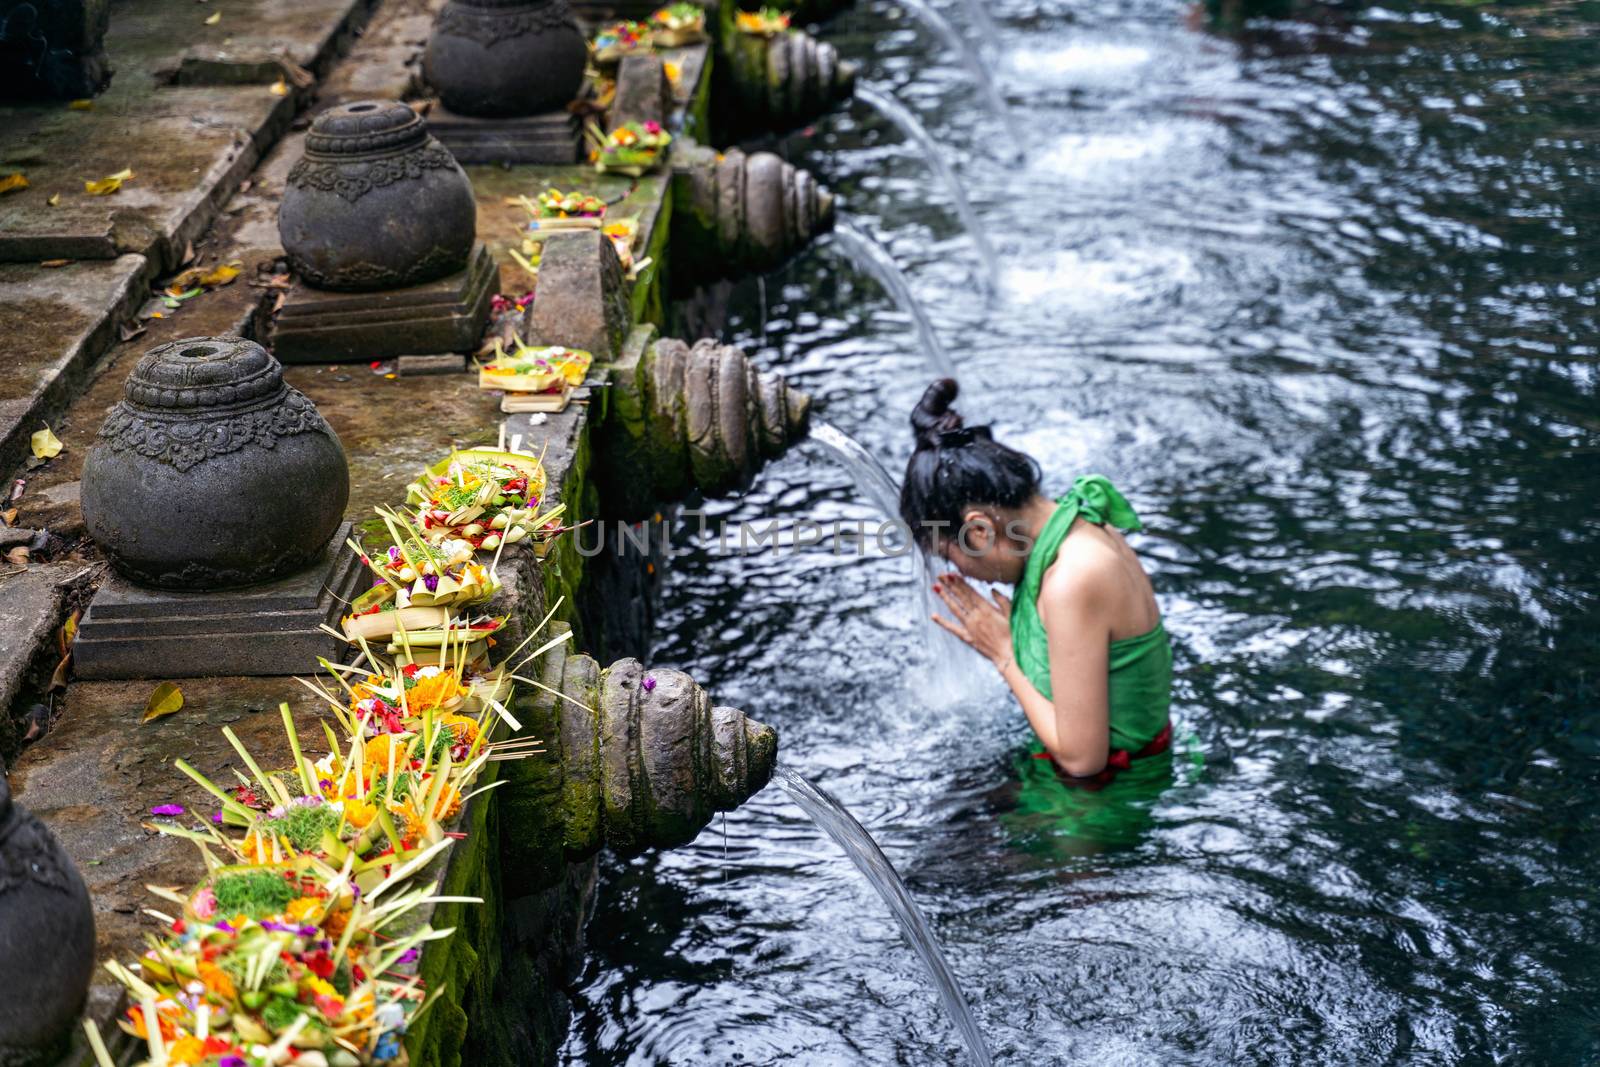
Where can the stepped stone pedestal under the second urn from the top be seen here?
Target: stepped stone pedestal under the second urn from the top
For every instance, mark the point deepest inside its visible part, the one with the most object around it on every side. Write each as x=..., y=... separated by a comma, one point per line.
x=444, y=316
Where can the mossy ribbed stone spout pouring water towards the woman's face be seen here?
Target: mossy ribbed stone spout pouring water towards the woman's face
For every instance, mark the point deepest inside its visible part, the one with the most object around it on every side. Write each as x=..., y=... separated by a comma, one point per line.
x=687, y=418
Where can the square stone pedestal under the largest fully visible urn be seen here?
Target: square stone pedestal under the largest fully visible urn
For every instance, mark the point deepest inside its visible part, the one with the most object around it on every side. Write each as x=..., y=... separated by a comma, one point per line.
x=273, y=629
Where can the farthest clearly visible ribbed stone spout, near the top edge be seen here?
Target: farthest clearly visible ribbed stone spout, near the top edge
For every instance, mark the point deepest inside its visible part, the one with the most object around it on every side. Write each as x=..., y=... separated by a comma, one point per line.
x=785, y=81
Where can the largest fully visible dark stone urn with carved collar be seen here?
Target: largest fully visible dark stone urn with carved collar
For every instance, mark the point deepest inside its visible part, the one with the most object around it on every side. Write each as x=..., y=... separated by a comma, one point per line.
x=212, y=473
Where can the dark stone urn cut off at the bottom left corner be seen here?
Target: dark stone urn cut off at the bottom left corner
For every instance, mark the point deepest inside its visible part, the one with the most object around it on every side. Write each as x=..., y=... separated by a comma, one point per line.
x=47, y=940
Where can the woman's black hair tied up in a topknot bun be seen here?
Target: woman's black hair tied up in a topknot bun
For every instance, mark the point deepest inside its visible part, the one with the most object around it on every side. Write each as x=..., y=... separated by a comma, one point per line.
x=958, y=468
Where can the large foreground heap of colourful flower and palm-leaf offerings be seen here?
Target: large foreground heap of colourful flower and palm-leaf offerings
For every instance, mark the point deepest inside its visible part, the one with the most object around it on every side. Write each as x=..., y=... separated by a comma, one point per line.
x=300, y=945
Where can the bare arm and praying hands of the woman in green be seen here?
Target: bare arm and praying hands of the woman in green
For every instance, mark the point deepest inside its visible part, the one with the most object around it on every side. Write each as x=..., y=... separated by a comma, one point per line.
x=1076, y=729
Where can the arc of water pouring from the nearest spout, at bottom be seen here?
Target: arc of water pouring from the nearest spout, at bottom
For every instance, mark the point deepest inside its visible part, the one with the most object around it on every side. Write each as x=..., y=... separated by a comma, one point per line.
x=870, y=860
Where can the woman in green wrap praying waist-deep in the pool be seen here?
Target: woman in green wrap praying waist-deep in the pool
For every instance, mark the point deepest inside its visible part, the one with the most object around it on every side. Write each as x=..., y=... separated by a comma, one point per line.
x=1082, y=644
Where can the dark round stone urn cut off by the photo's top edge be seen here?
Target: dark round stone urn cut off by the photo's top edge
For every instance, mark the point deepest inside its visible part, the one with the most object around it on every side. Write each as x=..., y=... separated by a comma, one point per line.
x=503, y=58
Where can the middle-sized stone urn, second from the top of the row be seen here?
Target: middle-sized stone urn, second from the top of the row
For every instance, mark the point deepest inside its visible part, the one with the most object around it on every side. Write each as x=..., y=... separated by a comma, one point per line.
x=375, y=204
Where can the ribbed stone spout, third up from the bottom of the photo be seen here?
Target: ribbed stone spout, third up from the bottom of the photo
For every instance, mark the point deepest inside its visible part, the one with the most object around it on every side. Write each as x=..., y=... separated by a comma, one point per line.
x=743, y=214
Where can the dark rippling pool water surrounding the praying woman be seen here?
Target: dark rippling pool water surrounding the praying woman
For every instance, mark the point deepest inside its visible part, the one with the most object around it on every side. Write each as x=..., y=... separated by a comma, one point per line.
x=1322, y=303
